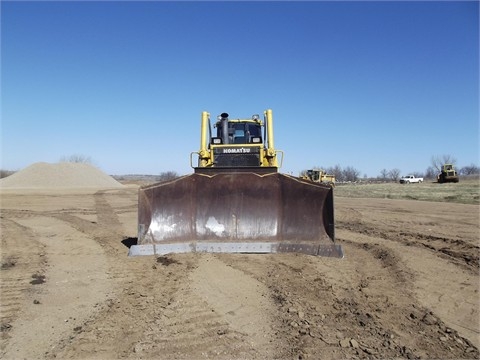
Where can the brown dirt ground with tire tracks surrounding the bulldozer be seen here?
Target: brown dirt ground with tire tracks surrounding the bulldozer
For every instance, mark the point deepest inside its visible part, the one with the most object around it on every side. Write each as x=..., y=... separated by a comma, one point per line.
x=407, y=287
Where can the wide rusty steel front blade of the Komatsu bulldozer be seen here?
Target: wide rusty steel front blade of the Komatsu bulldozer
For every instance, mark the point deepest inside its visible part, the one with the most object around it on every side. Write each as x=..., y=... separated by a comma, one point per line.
x=238, y=212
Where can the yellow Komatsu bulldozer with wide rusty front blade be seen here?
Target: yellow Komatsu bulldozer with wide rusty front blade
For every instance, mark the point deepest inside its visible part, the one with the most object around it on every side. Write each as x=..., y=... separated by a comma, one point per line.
x=236, y=201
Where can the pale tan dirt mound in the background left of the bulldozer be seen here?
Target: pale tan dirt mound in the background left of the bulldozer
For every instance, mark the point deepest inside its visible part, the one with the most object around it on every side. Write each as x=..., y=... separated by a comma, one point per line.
x=59, y=175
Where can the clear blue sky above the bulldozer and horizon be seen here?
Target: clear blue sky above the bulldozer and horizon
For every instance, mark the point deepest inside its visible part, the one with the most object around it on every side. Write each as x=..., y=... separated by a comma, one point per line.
x=372, y=85
